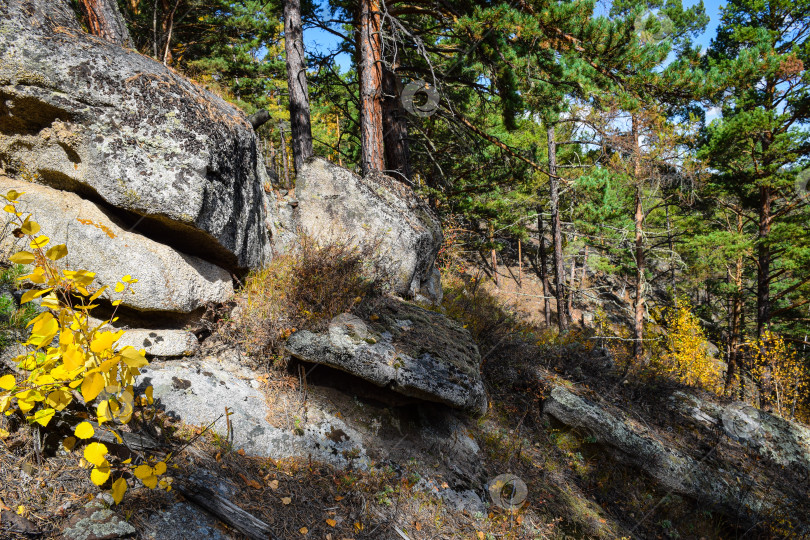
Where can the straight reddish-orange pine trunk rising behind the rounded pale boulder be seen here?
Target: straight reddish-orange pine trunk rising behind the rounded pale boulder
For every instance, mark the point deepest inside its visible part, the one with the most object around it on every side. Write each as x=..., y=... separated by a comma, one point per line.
x=369, y=47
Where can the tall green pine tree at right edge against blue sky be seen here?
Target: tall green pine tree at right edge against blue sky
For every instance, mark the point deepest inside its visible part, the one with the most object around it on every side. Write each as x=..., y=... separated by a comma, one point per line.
x=761, y=144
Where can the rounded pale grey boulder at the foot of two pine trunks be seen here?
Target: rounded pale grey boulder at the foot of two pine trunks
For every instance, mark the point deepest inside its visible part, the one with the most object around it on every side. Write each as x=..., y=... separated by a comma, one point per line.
x=375, y=212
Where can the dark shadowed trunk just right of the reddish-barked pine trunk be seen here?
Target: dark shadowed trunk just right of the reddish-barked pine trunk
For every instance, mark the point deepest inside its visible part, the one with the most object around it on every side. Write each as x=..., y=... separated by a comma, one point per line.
x=395, y=128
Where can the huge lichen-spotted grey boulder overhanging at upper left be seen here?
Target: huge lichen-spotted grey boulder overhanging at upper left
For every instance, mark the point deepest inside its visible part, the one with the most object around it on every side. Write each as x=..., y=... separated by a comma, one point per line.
x=80, y=114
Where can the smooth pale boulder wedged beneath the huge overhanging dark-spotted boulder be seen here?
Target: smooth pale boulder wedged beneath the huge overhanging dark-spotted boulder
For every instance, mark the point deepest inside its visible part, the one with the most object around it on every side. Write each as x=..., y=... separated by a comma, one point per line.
x=167, y=279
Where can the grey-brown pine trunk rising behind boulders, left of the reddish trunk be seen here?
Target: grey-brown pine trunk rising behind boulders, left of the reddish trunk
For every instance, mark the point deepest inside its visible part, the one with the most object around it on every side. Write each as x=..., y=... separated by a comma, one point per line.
x=300, y=127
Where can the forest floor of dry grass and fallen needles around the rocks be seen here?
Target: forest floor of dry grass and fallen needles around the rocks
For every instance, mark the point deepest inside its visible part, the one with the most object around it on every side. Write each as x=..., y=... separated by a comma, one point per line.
x=574, y=488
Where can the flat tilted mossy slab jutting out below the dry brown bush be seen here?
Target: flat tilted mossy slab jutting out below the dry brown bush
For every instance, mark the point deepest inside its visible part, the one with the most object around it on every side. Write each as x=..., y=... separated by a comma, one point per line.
x=404, y=348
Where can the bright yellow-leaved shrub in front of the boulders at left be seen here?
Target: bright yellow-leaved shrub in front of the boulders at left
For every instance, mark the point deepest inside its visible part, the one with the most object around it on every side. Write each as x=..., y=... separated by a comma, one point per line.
x=71, y=358
